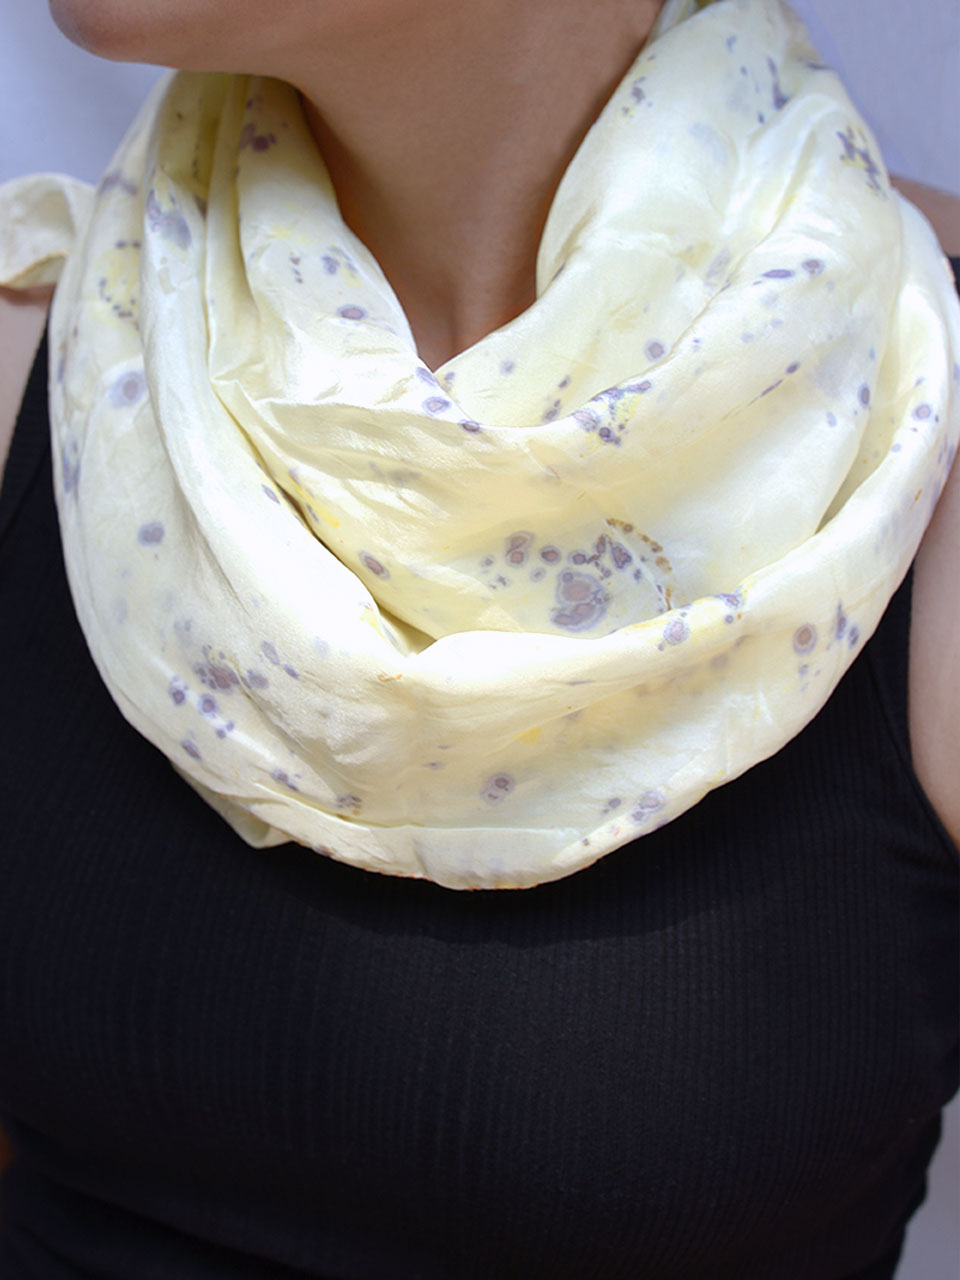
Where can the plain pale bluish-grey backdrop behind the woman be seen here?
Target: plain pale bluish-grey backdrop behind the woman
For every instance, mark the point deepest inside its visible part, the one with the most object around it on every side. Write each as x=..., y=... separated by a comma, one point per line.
x=65, y=111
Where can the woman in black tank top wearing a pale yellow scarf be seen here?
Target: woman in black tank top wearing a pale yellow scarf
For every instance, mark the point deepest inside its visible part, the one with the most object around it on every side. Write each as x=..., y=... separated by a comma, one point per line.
x=723, y=1050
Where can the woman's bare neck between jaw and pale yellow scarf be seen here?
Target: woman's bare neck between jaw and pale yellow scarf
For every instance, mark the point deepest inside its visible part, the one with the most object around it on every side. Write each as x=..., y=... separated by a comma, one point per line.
x=447, y=135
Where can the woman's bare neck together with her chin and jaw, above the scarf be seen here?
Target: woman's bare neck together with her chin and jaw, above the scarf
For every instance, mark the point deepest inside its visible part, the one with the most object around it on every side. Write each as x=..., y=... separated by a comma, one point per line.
x=446, y=127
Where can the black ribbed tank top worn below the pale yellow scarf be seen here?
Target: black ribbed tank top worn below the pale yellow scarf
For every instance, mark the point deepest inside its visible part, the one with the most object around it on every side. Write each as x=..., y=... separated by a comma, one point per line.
x=720, y=1054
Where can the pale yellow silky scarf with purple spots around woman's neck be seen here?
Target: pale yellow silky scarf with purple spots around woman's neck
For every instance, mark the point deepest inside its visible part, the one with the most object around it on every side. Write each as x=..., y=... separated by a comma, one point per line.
x=486, y=624
